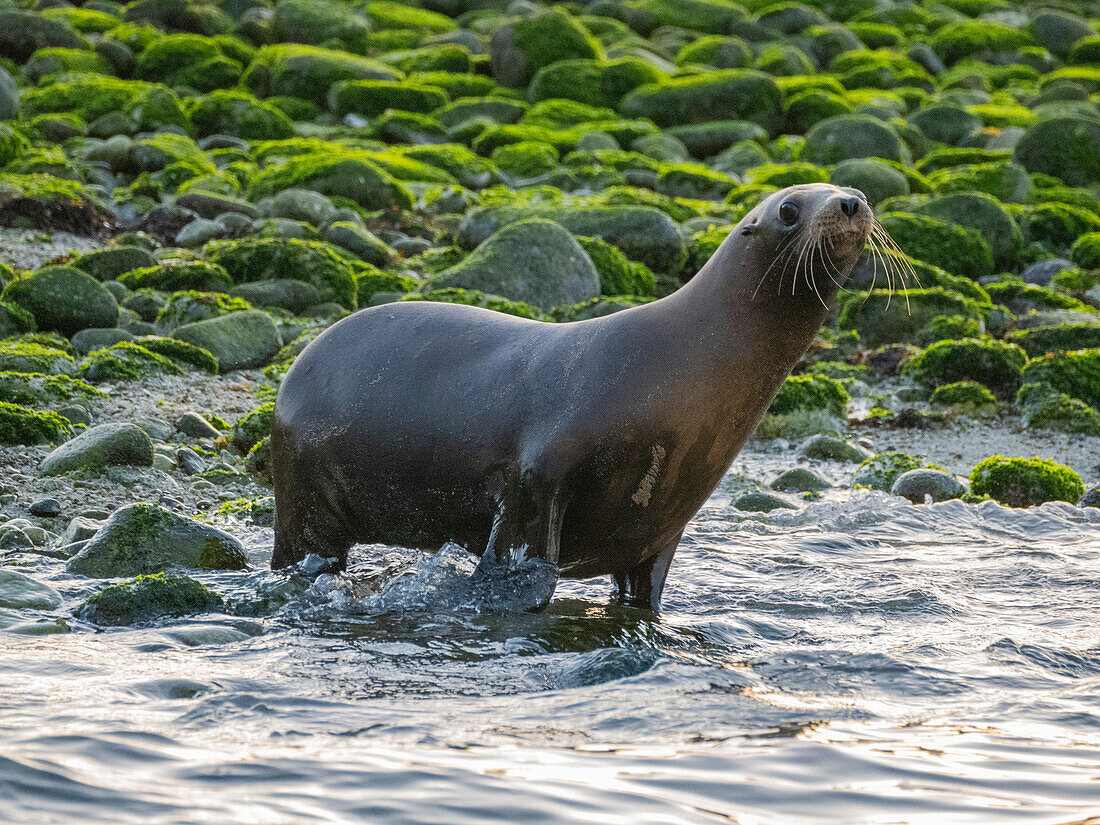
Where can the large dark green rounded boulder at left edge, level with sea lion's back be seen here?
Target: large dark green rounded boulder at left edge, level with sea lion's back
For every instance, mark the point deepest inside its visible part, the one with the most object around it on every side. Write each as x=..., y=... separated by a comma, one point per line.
x=64, y=300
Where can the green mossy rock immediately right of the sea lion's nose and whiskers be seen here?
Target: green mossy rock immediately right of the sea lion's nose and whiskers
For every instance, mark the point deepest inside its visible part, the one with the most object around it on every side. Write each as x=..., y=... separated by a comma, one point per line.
x=949, y=246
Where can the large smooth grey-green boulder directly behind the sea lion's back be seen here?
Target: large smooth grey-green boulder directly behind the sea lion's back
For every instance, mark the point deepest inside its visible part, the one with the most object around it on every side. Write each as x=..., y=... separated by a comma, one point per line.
x=536, y=262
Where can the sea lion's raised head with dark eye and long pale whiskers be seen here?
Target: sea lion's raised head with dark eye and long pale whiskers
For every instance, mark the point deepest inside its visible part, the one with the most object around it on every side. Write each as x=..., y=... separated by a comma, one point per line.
x=806, y=239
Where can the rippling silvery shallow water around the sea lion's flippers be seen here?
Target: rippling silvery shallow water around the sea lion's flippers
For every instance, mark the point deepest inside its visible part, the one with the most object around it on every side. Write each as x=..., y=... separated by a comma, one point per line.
x=859, y=662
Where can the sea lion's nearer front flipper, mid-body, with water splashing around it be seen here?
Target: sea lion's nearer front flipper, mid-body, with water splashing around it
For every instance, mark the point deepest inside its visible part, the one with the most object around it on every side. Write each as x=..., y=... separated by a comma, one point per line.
x=524, y=544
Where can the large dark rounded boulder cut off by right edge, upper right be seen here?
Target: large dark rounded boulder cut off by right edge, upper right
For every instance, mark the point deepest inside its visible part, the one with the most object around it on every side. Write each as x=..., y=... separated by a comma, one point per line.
x=1065, y=148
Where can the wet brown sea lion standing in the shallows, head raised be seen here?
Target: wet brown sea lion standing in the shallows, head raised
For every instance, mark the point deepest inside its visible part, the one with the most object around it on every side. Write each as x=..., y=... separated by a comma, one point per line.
x=588, y=445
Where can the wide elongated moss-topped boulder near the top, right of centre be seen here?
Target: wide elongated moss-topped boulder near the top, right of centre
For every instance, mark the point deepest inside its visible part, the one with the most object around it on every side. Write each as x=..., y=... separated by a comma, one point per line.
x=723, y=95
